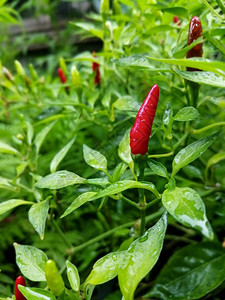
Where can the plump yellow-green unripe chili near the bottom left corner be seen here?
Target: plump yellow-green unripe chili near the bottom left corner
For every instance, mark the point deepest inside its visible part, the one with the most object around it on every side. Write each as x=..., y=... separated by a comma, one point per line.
x=53, y=278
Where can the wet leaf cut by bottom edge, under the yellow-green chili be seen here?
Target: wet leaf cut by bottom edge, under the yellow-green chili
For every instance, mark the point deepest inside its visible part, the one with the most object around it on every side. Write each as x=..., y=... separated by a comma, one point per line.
x=36, y=293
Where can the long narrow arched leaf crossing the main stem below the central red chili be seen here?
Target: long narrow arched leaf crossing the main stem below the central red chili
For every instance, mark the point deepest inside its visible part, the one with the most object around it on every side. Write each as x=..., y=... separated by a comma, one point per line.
x=121, y=186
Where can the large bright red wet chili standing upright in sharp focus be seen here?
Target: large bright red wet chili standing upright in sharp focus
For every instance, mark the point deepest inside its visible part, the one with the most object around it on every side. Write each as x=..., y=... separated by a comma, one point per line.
x=141, y=130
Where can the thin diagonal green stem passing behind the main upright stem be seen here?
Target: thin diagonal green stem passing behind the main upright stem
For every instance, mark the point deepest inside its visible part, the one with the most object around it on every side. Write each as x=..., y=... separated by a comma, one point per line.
x=112, y=231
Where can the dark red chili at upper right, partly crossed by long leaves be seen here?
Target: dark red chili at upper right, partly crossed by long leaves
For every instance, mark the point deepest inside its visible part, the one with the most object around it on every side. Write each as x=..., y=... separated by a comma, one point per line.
x=195, y=31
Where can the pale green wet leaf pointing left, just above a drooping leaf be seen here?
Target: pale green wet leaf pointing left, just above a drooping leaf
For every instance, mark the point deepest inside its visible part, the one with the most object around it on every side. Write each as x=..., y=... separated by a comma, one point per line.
x=59, y=180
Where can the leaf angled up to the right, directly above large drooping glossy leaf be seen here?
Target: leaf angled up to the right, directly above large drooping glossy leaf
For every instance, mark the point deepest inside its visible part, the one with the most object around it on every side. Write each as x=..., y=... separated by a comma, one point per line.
x=191, y=152
